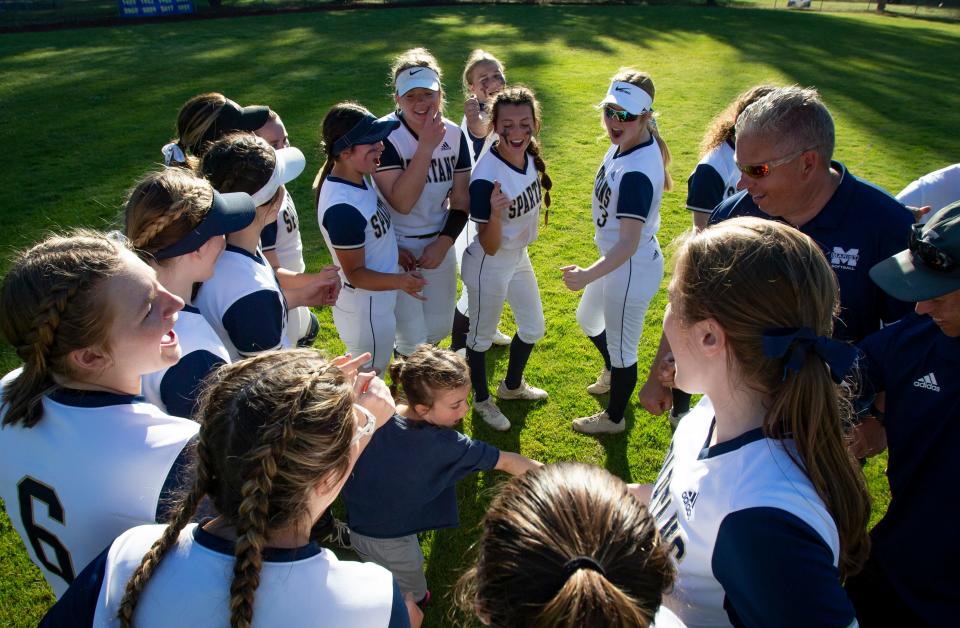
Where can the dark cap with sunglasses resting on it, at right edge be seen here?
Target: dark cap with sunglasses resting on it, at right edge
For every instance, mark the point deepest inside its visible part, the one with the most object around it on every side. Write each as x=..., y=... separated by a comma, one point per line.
x=930, y=267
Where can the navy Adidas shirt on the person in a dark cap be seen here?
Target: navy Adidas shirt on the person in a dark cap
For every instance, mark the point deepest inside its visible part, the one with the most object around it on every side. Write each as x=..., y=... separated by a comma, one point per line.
x=919, y=368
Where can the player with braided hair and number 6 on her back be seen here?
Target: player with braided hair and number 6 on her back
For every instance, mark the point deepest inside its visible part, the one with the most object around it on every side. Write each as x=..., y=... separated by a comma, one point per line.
x=84, y=457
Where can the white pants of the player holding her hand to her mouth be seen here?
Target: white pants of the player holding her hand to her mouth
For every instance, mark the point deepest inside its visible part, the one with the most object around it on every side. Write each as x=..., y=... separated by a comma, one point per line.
x=427, y=321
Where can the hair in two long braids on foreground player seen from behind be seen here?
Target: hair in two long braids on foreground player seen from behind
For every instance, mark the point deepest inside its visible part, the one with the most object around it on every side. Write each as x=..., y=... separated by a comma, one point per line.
x=272, y=427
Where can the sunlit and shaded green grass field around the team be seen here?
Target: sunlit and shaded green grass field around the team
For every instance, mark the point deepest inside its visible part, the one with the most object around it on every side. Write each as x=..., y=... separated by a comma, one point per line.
x=86, y=112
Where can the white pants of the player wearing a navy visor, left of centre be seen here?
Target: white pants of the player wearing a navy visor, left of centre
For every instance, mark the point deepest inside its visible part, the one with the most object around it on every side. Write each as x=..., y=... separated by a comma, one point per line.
x=366, y=321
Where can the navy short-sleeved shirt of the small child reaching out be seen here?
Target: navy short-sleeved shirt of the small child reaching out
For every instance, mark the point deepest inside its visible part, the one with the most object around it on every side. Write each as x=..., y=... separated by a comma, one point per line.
x=405, y=480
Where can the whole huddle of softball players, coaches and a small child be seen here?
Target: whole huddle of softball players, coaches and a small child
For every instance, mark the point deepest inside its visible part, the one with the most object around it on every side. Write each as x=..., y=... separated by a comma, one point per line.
x=170, y=365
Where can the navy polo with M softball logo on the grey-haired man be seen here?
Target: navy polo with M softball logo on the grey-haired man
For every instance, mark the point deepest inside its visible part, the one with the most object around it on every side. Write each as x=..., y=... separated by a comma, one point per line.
x=859, y=226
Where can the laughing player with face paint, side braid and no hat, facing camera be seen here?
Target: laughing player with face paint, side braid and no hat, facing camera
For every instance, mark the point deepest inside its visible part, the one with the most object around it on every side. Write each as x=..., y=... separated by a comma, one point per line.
x=506, y=190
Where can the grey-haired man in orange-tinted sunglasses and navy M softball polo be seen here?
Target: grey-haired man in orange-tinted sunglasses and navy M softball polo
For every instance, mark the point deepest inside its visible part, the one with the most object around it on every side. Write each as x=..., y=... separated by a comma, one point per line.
x=784, y=149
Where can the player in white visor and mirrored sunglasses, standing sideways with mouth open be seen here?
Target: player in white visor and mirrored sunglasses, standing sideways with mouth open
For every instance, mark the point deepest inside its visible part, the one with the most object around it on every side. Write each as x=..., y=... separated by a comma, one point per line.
x=618, y=287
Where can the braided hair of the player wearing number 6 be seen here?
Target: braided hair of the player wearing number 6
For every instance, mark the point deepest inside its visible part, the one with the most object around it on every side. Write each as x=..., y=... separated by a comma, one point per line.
x=51, y=305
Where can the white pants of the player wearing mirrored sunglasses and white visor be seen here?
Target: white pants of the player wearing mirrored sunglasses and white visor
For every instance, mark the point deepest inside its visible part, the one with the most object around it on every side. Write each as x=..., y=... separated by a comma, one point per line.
x=618, y=302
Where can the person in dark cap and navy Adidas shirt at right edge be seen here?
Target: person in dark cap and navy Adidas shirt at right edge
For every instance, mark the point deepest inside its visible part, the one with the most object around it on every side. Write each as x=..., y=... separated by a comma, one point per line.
x=912, y=578
